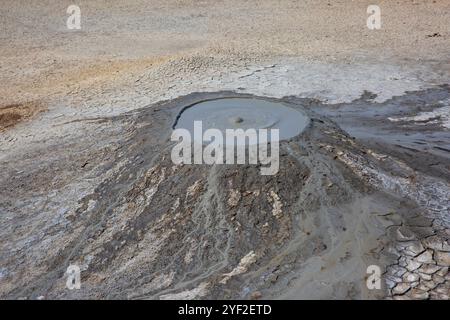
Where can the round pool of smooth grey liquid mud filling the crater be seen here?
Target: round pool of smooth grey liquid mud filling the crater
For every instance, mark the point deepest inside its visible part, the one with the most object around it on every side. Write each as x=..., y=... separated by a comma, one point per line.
x=244, y=113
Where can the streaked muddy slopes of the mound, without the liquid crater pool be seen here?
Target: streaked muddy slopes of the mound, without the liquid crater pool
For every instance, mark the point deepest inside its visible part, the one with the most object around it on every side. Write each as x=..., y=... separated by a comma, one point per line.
x=147, y=229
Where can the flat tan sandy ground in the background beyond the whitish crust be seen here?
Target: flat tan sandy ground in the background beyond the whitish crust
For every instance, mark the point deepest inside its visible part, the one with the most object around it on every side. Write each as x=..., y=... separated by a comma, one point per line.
x=119, y=42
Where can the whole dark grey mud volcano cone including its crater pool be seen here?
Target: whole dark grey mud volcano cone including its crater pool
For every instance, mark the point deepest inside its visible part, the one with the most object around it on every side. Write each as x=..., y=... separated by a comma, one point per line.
x=338, y=204
